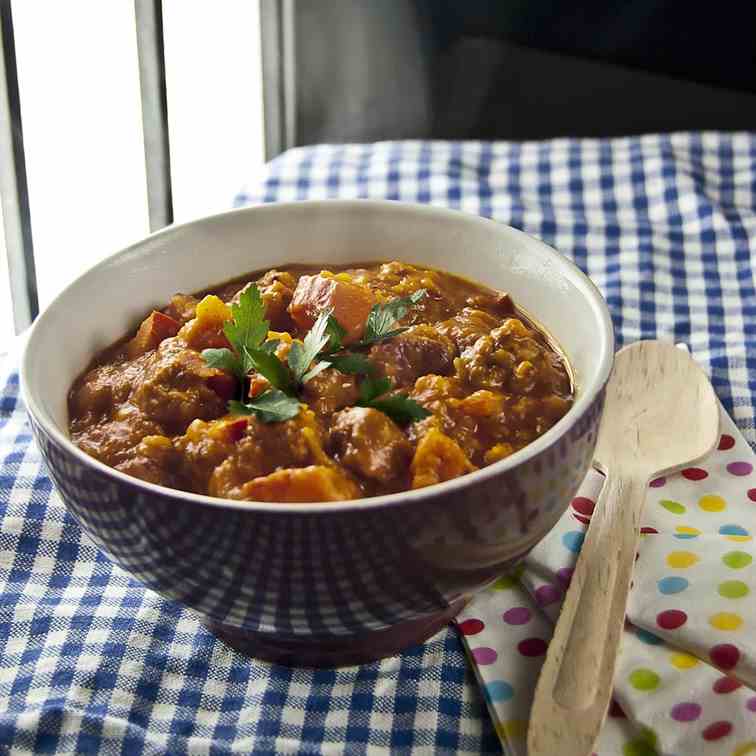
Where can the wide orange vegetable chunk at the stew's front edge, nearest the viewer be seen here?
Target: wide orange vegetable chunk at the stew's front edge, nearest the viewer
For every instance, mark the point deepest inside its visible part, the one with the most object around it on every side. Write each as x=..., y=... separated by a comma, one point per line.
x=313, y=483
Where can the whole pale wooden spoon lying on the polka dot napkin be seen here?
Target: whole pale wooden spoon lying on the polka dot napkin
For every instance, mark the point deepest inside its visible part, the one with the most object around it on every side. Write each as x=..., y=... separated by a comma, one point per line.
x=660, y=415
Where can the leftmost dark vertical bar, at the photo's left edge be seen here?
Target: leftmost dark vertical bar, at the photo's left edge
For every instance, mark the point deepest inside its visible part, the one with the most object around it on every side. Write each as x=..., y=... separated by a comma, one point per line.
x=13, y=187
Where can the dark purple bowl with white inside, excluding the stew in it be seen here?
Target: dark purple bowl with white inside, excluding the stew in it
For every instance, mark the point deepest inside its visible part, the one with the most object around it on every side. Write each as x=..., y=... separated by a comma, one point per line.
x=322, y=583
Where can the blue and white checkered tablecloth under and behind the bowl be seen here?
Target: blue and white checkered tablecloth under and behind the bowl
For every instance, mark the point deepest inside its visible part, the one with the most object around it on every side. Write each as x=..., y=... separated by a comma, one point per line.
x=92, y=662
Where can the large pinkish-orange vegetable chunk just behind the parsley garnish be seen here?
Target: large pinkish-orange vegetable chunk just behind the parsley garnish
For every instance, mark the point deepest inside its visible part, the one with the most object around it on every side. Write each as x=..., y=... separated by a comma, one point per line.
x=350, y=302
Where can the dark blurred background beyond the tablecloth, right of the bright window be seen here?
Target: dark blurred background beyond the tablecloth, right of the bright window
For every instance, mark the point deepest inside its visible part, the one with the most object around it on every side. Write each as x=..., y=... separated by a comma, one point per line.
x=364, y=70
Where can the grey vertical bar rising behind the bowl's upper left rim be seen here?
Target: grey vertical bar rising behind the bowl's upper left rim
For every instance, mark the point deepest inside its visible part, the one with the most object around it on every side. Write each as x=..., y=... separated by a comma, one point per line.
x=151, y=52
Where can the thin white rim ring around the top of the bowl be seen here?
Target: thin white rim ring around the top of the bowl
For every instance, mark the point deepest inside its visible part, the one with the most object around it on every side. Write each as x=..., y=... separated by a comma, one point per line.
x=584, y=400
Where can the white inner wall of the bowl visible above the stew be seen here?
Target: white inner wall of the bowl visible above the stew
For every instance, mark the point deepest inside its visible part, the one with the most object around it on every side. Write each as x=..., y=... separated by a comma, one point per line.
x=112, y=297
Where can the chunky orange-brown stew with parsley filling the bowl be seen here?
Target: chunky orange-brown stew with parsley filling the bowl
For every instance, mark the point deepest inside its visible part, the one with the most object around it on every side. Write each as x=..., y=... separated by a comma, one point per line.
x=461, y=380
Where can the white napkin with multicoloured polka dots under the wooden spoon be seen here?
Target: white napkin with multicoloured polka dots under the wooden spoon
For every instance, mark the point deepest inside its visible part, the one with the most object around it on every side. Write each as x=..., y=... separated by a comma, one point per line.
x=686, y=675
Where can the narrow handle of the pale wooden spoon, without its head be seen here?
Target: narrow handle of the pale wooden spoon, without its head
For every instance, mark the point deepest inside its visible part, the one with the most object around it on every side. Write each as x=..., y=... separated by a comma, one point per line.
x=575, y=685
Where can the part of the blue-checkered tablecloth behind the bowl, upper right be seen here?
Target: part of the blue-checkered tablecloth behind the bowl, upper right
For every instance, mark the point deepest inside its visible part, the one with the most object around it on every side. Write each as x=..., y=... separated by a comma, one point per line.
x=663, y=224
